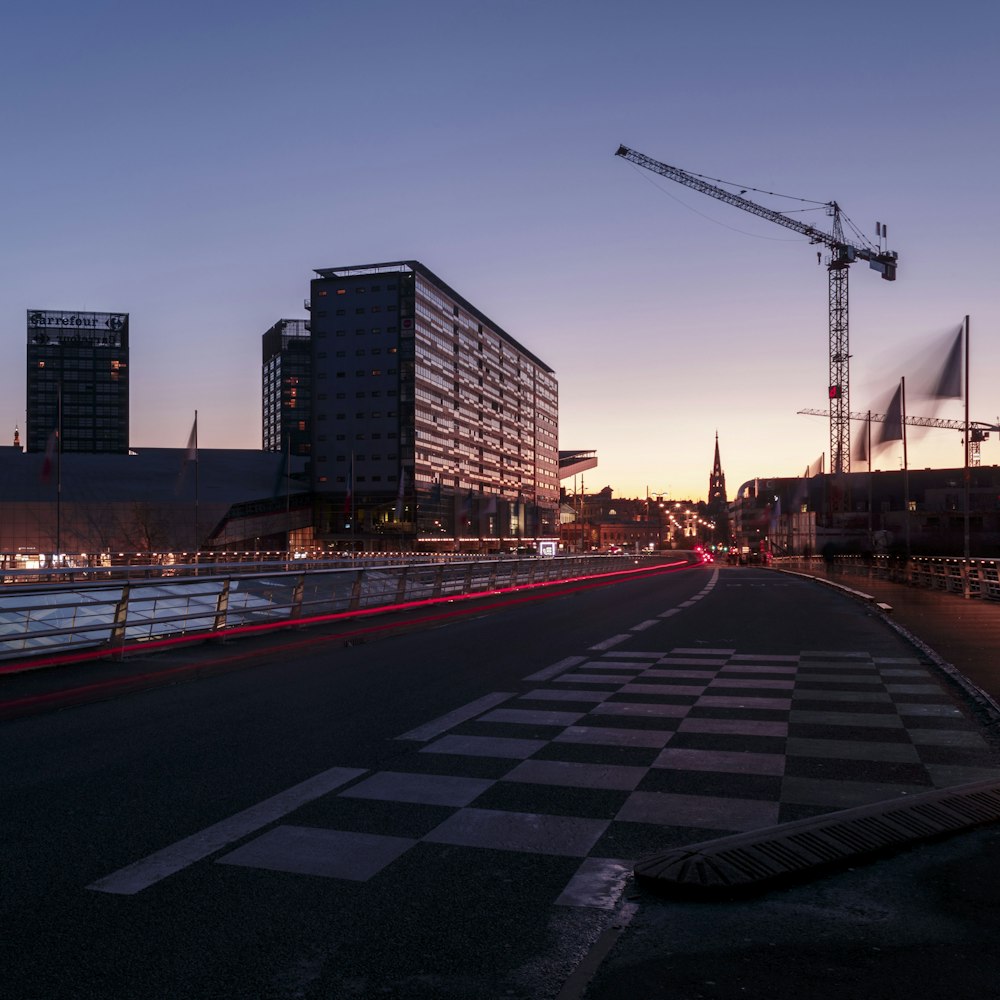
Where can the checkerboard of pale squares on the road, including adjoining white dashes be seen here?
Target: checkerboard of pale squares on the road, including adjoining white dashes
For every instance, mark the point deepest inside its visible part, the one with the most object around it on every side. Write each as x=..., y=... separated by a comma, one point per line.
x=610, y=755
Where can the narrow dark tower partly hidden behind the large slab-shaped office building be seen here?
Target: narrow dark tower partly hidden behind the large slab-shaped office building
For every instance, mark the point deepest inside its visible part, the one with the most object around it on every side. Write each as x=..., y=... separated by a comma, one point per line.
x=286, y=384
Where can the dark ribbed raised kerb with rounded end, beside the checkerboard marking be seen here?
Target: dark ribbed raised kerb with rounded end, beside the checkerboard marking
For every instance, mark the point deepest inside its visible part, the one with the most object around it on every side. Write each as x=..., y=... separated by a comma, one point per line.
x=753, y=861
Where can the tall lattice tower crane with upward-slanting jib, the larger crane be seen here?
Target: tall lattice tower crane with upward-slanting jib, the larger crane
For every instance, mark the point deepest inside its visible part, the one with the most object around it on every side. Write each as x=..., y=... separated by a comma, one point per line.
x=842, y=255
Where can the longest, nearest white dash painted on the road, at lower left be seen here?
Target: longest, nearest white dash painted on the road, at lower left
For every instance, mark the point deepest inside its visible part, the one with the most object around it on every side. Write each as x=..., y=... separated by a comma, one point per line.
x=152, y=869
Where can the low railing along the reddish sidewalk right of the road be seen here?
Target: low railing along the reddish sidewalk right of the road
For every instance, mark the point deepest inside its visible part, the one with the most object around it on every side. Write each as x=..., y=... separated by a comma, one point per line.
x=968, y=577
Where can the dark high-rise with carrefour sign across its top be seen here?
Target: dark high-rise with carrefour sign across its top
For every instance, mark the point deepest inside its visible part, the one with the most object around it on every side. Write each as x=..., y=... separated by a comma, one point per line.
x=78, y=380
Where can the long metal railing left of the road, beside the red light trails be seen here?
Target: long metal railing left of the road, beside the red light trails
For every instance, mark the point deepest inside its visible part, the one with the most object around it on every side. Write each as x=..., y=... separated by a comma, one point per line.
x=54, y=620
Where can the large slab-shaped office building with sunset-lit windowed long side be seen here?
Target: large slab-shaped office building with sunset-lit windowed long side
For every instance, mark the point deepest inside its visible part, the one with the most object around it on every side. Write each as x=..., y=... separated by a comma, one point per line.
x=432, y=424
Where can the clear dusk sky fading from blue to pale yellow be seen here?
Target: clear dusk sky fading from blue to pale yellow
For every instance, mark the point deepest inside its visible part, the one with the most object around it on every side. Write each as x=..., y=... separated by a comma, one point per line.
x=191, y=163
